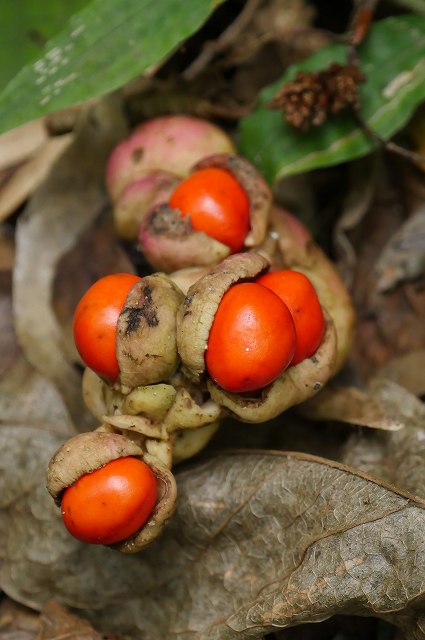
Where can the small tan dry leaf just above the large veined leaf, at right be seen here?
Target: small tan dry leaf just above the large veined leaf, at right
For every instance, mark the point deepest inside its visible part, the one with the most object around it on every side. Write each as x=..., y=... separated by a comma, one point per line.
x=362, y=407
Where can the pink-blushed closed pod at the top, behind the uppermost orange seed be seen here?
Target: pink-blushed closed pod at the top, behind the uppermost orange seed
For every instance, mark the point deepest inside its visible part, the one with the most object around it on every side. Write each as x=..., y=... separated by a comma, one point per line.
x=144, y=169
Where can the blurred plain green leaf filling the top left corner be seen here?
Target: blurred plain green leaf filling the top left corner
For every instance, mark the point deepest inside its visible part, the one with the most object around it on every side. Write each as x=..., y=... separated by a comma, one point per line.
x=26, y=30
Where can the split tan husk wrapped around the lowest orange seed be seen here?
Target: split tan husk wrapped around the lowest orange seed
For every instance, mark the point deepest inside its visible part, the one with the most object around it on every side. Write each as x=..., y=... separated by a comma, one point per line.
x=88, y=452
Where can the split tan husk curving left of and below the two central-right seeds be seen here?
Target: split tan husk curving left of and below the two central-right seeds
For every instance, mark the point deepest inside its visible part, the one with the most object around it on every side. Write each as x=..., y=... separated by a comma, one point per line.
x=194, y=320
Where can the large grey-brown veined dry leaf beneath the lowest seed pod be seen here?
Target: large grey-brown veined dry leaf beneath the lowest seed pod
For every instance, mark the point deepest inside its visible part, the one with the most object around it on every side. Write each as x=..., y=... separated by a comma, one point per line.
x=260, y=541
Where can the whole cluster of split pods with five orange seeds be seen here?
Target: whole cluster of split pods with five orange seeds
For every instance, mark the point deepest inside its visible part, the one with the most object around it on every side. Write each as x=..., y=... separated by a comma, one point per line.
x=243, y=316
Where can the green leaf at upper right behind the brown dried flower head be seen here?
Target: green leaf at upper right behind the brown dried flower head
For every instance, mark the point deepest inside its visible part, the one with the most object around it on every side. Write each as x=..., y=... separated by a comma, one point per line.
x=393, y=61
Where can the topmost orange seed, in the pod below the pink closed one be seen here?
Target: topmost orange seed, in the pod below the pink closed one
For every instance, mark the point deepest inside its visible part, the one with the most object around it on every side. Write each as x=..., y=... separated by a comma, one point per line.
x=216, y=204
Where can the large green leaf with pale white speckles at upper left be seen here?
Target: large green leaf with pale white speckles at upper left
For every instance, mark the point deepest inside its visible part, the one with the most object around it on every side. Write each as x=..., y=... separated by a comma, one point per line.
x=104, y=46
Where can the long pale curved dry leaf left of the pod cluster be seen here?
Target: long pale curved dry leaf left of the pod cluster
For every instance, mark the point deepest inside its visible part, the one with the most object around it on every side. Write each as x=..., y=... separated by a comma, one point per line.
x=61, y=209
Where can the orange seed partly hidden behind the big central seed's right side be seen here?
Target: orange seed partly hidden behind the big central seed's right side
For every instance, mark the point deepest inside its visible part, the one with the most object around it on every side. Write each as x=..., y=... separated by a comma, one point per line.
x=299, y=295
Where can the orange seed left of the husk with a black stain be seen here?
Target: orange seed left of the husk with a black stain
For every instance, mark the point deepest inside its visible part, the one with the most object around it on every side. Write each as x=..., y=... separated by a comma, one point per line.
x=95, y=322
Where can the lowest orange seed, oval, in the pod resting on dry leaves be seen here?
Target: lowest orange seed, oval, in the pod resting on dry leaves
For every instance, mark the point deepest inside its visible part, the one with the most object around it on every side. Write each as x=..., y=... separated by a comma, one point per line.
x=111, y=503
